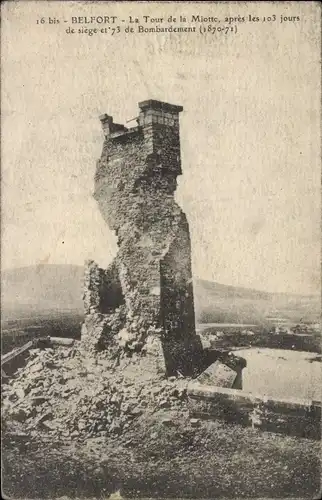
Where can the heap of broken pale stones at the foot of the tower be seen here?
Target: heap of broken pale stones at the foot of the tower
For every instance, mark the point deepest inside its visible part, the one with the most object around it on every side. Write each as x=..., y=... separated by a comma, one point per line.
x=71, y=395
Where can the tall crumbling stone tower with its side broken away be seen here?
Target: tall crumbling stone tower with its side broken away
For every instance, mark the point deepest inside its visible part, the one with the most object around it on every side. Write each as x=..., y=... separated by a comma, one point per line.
x=148, y=287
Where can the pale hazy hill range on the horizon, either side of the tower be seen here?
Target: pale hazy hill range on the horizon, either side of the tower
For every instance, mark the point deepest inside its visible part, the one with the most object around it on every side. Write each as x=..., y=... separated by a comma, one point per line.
x=37, y=289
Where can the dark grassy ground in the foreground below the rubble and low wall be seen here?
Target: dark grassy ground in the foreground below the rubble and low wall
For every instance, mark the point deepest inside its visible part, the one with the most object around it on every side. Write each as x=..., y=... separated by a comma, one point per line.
x=175, y=461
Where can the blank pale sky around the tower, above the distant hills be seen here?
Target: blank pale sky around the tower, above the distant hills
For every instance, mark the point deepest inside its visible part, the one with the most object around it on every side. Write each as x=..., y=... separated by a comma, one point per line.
x=249, y=136
